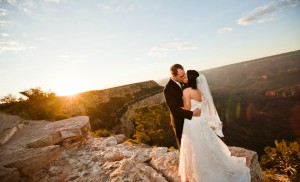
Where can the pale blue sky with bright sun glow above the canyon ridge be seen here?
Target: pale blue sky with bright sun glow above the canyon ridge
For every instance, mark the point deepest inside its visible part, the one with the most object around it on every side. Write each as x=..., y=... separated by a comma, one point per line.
x=72, y=46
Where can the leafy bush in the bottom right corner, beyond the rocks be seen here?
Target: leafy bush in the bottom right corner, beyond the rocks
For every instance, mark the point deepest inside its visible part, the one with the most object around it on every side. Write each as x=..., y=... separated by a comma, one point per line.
x=284, y=158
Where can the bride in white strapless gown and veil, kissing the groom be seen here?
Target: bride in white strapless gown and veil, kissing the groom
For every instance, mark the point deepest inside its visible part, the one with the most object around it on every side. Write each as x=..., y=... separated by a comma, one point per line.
x=203, y=155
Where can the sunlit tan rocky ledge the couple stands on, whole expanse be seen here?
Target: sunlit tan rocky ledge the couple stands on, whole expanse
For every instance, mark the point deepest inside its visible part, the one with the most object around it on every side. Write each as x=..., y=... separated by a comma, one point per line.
x=65, y=151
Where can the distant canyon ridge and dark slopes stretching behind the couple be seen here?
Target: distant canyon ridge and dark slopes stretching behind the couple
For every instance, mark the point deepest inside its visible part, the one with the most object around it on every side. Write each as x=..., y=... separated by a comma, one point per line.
x=258, y=100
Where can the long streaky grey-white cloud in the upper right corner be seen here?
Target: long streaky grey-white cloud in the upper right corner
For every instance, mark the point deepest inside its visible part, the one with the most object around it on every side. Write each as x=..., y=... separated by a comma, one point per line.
x=266, y=12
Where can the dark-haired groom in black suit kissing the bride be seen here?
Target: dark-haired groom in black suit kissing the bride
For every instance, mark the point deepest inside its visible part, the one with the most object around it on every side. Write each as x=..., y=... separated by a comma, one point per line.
x=173, y=98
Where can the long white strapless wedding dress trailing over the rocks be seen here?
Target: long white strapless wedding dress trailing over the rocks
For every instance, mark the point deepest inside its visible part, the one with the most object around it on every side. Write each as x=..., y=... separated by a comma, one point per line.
x=204, y=157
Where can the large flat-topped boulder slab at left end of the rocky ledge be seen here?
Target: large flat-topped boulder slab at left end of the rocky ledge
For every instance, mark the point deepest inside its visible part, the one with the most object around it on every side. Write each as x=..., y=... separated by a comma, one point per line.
x=38, y=144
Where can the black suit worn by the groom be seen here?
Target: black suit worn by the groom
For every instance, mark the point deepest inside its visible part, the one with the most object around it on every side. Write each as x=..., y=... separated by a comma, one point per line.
x=173, y=98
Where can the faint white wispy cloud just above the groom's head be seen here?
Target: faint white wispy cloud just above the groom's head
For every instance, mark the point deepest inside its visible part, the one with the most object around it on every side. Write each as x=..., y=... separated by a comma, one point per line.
x=171, y=46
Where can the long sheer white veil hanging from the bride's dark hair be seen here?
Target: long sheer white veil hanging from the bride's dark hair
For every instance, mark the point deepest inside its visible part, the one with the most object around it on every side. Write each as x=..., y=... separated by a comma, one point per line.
x=209, y=110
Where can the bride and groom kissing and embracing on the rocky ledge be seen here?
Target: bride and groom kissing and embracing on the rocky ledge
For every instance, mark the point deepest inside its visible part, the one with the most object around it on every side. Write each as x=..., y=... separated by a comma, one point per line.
x=204, y=157
